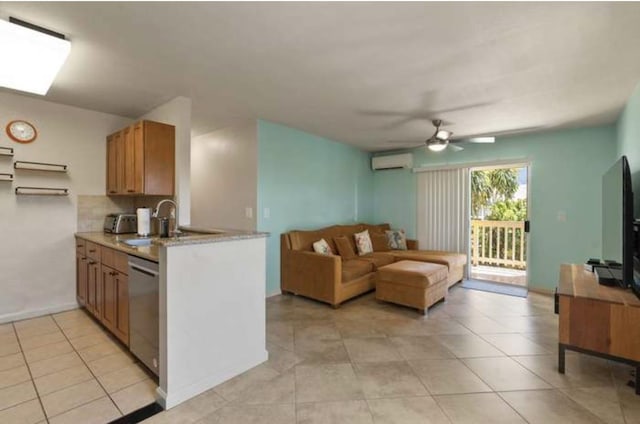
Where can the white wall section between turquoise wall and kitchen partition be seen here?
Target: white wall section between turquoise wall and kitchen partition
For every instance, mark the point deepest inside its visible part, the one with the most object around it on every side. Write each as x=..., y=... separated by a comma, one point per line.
x=224, y=177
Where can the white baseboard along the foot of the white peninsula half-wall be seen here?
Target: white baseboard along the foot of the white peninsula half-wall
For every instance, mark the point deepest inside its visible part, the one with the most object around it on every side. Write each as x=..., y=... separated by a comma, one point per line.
x=176, y=397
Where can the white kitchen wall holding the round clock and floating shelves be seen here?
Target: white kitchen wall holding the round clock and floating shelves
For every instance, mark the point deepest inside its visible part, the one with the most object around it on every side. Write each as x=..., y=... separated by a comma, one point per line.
x=37, y=254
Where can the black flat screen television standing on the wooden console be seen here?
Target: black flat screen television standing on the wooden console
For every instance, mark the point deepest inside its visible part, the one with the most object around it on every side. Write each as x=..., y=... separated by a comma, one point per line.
x=617, y=220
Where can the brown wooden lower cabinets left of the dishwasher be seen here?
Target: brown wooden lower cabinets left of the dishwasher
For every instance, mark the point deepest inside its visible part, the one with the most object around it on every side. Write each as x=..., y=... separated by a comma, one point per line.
x=102, y=287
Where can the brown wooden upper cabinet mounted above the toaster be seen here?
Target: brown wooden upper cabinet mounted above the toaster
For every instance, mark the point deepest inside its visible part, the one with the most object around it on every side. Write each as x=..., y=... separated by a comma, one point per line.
x=141, y=160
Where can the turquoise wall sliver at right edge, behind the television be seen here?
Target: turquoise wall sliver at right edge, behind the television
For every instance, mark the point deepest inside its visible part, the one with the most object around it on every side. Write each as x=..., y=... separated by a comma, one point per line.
x=629, y=141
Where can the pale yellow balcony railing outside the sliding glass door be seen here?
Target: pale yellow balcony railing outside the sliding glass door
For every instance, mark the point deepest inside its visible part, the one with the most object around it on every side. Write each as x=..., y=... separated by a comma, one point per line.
x=499, y=243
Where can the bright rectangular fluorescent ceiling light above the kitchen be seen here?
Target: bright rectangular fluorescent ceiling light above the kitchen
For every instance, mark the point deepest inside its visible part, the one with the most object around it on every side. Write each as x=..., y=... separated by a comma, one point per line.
x=30, y=59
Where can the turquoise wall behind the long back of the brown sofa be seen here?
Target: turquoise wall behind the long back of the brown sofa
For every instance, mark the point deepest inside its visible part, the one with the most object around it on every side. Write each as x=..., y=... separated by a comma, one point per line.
x=307, y=182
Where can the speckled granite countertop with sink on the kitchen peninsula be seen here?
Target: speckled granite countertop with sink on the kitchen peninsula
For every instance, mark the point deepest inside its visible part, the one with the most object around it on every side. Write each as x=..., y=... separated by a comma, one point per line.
x=194, y=235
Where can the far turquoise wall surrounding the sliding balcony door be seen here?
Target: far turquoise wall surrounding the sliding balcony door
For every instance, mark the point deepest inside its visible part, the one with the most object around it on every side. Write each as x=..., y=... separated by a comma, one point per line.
x=565, y=176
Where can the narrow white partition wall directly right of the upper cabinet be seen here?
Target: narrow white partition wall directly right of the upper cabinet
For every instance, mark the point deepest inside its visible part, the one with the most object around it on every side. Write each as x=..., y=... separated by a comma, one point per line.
x=178, y=112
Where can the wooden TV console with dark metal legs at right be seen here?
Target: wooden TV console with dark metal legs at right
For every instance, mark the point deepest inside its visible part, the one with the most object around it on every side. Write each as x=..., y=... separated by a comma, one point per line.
x=597, y=320
